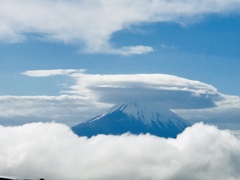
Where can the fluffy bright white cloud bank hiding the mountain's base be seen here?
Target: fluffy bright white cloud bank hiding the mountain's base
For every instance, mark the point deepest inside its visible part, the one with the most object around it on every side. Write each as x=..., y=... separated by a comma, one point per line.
x=53, y=151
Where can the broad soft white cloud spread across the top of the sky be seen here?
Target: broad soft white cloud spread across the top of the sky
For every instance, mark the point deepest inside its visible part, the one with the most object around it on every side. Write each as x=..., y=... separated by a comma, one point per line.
x=92, y=22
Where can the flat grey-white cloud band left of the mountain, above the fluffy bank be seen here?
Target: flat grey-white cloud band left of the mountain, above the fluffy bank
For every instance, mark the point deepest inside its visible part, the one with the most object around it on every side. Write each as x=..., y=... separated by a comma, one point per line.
x=64, y=109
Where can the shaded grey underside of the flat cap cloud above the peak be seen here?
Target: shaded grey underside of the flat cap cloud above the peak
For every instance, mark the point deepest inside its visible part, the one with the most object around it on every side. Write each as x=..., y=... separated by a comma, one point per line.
x=169, y=98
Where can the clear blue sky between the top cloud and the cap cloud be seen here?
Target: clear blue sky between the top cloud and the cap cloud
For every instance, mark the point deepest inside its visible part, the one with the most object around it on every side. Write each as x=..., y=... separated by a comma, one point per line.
x=207, y=51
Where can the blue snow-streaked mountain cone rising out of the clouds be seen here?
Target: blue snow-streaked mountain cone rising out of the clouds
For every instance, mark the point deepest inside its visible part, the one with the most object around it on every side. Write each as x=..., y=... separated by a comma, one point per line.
x=136, y=118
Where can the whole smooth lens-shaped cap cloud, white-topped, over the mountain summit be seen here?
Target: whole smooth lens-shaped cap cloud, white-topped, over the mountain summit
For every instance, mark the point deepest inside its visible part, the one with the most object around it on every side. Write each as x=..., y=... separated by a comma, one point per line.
x=171, y=91
